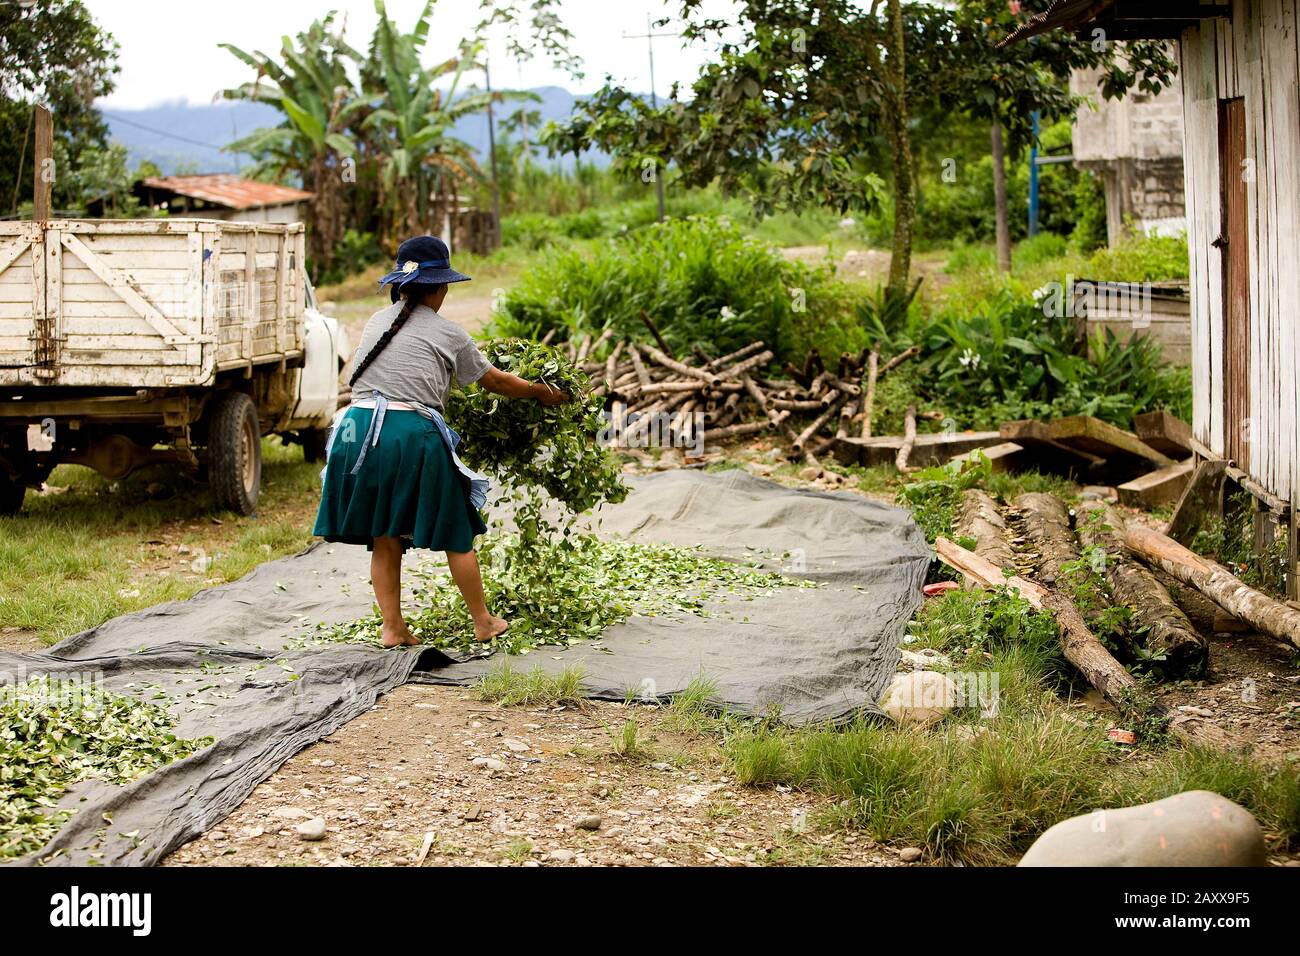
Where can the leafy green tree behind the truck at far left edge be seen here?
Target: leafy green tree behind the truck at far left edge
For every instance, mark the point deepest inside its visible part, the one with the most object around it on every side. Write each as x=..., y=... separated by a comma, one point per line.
x=54, y=54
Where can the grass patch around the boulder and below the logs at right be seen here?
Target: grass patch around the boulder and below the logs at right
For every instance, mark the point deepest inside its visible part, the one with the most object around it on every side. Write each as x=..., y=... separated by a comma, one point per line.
x=982, y=791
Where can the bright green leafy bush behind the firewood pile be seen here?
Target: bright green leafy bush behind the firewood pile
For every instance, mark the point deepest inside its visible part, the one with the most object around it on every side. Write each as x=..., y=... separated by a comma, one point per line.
x=703, y=282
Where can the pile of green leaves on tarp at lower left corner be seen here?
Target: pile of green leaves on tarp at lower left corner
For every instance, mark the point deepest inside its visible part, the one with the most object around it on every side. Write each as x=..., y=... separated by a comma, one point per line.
x=58, y=733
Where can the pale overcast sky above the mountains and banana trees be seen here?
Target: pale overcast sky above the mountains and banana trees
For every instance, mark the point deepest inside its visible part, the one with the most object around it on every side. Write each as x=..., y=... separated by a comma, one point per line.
x=170, y=51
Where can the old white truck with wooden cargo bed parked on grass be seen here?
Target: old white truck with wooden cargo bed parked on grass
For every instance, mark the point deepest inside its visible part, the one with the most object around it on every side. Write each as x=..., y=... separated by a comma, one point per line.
x=135, y=343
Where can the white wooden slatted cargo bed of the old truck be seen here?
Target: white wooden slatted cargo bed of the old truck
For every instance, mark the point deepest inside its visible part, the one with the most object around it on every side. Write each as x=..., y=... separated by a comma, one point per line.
x=146, y=304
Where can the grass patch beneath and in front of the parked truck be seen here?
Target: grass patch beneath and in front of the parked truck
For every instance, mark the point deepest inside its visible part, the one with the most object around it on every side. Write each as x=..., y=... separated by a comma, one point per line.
x=73, y=560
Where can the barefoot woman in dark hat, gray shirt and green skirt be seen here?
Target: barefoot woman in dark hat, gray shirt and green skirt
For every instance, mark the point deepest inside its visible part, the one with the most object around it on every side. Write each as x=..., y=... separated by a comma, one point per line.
x=393, y=479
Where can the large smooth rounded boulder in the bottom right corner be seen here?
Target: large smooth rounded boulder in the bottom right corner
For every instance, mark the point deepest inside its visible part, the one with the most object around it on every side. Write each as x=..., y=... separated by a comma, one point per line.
x=1193, y=829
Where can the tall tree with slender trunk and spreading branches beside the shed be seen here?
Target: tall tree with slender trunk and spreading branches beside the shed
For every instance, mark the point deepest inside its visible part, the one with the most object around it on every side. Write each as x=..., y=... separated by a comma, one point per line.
x=814, y=102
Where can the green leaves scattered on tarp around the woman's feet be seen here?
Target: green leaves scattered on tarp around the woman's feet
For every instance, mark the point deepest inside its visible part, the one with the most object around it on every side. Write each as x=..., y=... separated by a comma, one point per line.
x=569, y=590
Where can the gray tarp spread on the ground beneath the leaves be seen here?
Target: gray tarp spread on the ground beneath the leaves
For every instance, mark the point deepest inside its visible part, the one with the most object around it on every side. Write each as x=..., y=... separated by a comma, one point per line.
x=227, y=664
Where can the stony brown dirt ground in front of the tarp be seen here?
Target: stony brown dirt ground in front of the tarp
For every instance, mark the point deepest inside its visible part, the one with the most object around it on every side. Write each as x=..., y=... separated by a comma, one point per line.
x=549, y=790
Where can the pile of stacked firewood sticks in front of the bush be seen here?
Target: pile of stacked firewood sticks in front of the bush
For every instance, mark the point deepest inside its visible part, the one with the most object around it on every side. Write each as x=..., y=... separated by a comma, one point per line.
x=811, y=405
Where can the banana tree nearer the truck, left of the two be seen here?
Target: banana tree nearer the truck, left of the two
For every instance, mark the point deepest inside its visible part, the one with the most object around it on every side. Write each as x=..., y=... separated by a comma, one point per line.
x=314, y=88
